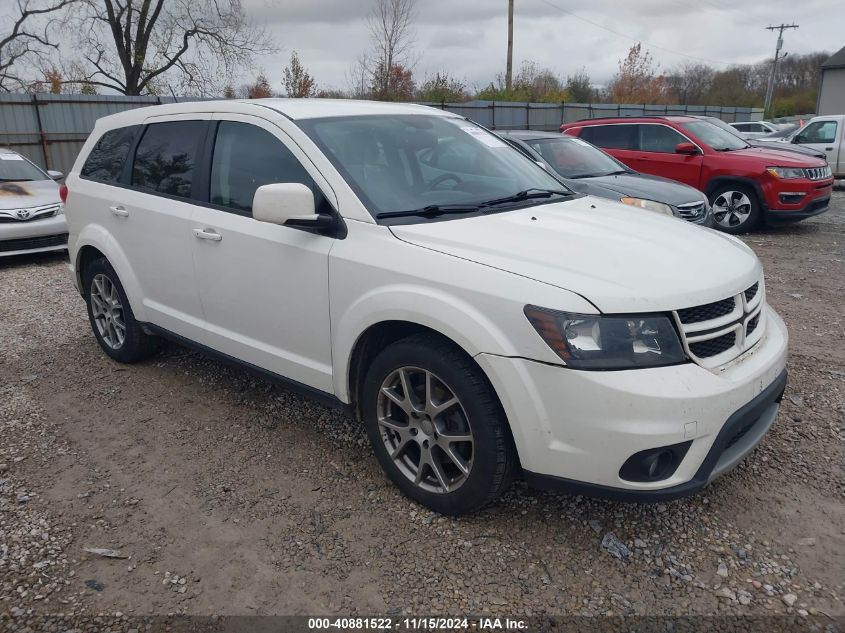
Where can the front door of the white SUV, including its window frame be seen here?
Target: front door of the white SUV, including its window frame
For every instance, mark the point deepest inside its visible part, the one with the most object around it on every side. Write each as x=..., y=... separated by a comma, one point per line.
x=264, y=287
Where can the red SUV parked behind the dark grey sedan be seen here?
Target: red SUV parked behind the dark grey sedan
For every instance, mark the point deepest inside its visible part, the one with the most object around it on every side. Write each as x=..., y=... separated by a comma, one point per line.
x=744, y=184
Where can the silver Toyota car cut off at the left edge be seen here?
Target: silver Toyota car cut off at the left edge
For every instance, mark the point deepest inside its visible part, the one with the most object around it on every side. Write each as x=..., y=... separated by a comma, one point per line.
x=31, y=214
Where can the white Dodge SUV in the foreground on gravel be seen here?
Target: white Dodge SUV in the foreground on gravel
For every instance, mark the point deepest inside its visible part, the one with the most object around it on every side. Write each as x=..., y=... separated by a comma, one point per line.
x=481, y=319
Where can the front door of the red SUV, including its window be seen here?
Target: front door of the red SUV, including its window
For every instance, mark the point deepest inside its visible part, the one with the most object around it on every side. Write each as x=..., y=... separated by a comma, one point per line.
x=655, y=154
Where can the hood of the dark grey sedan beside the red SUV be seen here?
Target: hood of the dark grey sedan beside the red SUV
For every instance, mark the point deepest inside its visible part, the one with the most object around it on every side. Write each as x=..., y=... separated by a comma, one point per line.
x=637, y=186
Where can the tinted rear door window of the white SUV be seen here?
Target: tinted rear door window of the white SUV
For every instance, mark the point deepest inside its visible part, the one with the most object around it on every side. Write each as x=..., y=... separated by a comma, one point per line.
x=166, y=155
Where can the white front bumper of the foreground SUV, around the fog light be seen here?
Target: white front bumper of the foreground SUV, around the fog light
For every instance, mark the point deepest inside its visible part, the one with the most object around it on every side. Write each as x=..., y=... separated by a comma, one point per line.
x=576, y=429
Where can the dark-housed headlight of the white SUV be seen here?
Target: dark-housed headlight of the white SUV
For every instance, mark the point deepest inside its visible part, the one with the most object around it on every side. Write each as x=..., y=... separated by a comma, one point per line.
x=608, y=342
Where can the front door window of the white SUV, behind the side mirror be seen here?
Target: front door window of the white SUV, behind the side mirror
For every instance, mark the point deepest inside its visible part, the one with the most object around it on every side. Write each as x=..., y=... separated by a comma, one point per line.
x=245, y=158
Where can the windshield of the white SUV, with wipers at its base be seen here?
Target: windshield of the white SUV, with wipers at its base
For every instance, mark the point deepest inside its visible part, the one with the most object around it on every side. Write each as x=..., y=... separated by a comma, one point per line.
x=401, y=163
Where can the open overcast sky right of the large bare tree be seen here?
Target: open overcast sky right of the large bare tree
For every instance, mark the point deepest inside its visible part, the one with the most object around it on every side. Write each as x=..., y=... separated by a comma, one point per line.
x=468, y=38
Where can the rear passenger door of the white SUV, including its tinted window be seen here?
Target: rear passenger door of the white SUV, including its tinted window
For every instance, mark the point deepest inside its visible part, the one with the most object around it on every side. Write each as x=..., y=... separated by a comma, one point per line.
x=151, y=220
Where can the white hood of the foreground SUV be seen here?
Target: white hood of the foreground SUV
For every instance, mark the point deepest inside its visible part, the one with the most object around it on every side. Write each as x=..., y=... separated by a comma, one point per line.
x=619, y=258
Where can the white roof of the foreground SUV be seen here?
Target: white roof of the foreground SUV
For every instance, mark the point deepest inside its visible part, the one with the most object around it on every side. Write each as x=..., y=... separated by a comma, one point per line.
x=295, y=109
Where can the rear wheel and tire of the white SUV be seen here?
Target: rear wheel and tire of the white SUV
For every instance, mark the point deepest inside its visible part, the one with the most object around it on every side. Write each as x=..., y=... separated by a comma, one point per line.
x=111, y=317
